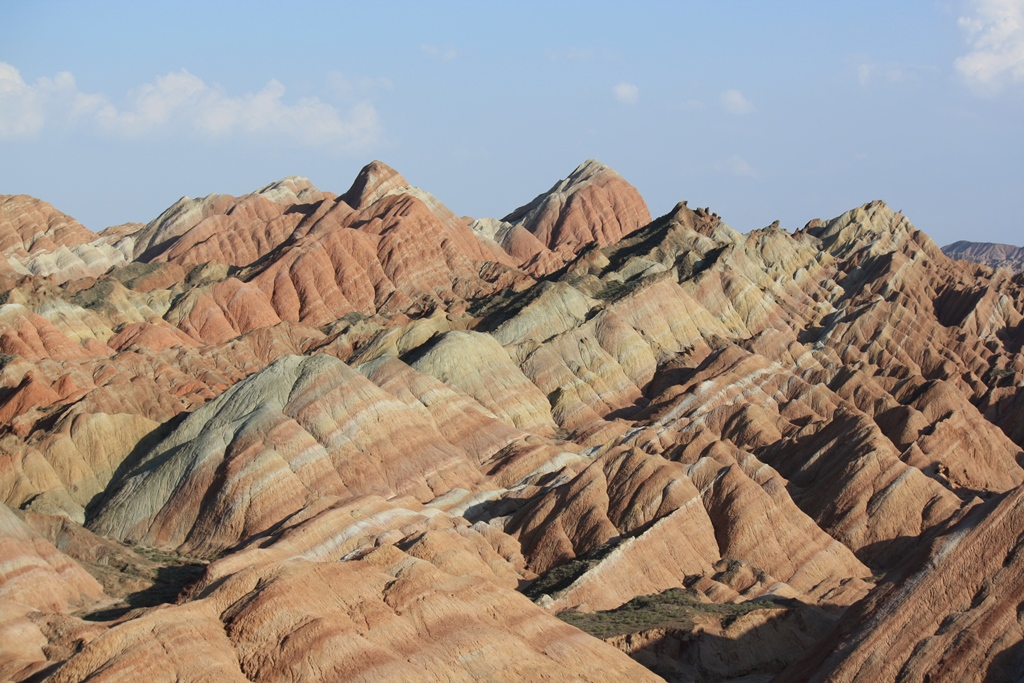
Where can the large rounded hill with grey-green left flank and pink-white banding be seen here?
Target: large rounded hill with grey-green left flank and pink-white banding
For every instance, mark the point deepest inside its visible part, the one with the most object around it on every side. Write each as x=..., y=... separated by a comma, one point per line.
x=266, y=449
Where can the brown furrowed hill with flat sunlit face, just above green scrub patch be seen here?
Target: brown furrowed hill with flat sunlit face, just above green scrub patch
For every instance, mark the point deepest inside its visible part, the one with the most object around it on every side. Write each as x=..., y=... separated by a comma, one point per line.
x=662, y=525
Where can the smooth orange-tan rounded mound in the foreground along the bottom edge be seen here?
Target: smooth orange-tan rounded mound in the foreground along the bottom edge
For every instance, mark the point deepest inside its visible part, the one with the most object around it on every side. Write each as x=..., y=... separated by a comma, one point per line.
x=388, y=617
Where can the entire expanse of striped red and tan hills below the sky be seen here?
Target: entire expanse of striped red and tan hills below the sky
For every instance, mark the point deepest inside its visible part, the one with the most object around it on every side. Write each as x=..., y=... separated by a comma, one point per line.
x=298, y=436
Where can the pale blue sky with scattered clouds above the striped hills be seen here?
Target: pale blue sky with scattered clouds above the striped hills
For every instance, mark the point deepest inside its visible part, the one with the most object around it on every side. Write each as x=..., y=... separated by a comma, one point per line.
x=762, y=111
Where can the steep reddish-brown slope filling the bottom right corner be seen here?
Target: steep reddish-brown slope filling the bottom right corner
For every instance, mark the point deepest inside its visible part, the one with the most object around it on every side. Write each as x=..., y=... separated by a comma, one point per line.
x=953, y=614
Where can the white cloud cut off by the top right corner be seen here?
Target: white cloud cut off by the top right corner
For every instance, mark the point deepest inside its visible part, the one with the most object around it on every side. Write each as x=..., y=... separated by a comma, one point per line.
x=996, y=34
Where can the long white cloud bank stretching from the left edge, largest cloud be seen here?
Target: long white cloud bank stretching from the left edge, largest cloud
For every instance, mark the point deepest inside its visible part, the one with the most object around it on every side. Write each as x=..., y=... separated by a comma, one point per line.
x=180, y=102
